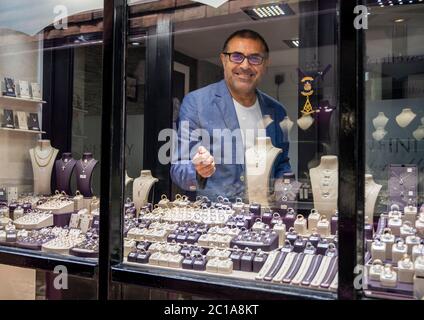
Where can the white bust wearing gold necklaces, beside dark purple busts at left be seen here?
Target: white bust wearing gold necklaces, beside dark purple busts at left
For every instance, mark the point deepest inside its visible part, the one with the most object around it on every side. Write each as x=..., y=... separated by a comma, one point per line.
x=43, y=157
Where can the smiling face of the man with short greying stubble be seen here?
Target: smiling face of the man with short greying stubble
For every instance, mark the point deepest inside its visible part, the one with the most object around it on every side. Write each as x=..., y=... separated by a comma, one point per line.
x=243, y=78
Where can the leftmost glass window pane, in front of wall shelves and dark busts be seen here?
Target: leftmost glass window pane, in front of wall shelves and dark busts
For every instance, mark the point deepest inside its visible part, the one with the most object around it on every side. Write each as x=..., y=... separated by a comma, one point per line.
x=50, y=105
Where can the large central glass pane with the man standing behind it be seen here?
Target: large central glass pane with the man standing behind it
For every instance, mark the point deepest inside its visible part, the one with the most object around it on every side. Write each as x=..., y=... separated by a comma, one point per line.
x=226, y=181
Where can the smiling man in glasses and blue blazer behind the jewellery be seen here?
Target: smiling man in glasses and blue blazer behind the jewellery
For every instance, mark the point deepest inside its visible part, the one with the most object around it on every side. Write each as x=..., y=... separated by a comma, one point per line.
x=232, y=105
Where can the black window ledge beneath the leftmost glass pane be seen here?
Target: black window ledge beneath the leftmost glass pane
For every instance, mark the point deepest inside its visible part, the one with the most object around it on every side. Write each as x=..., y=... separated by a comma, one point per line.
x=25, y=258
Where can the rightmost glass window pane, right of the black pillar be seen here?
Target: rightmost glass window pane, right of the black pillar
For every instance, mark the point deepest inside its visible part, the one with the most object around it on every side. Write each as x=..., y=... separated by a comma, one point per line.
x=394, y=150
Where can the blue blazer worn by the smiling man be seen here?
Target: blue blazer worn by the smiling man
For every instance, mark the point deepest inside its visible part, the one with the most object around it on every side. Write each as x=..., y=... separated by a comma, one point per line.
x=212, y=108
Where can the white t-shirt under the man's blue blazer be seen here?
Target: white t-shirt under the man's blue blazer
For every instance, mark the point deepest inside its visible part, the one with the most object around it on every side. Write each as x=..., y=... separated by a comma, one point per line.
x=250, y=120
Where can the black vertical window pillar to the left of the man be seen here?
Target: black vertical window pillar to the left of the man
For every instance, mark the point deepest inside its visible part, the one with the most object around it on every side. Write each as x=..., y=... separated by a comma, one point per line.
x=113, y=141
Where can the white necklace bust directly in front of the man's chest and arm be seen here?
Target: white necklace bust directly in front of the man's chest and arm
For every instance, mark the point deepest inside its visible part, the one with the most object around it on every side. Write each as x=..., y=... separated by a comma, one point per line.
x=259, y=163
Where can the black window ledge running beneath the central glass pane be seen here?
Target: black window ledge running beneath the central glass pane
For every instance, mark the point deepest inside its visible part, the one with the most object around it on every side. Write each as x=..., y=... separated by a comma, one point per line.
x=214, y=286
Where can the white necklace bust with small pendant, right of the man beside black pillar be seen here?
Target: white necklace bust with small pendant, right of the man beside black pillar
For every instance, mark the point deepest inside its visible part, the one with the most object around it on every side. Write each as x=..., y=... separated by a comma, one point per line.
x=325, y=183
